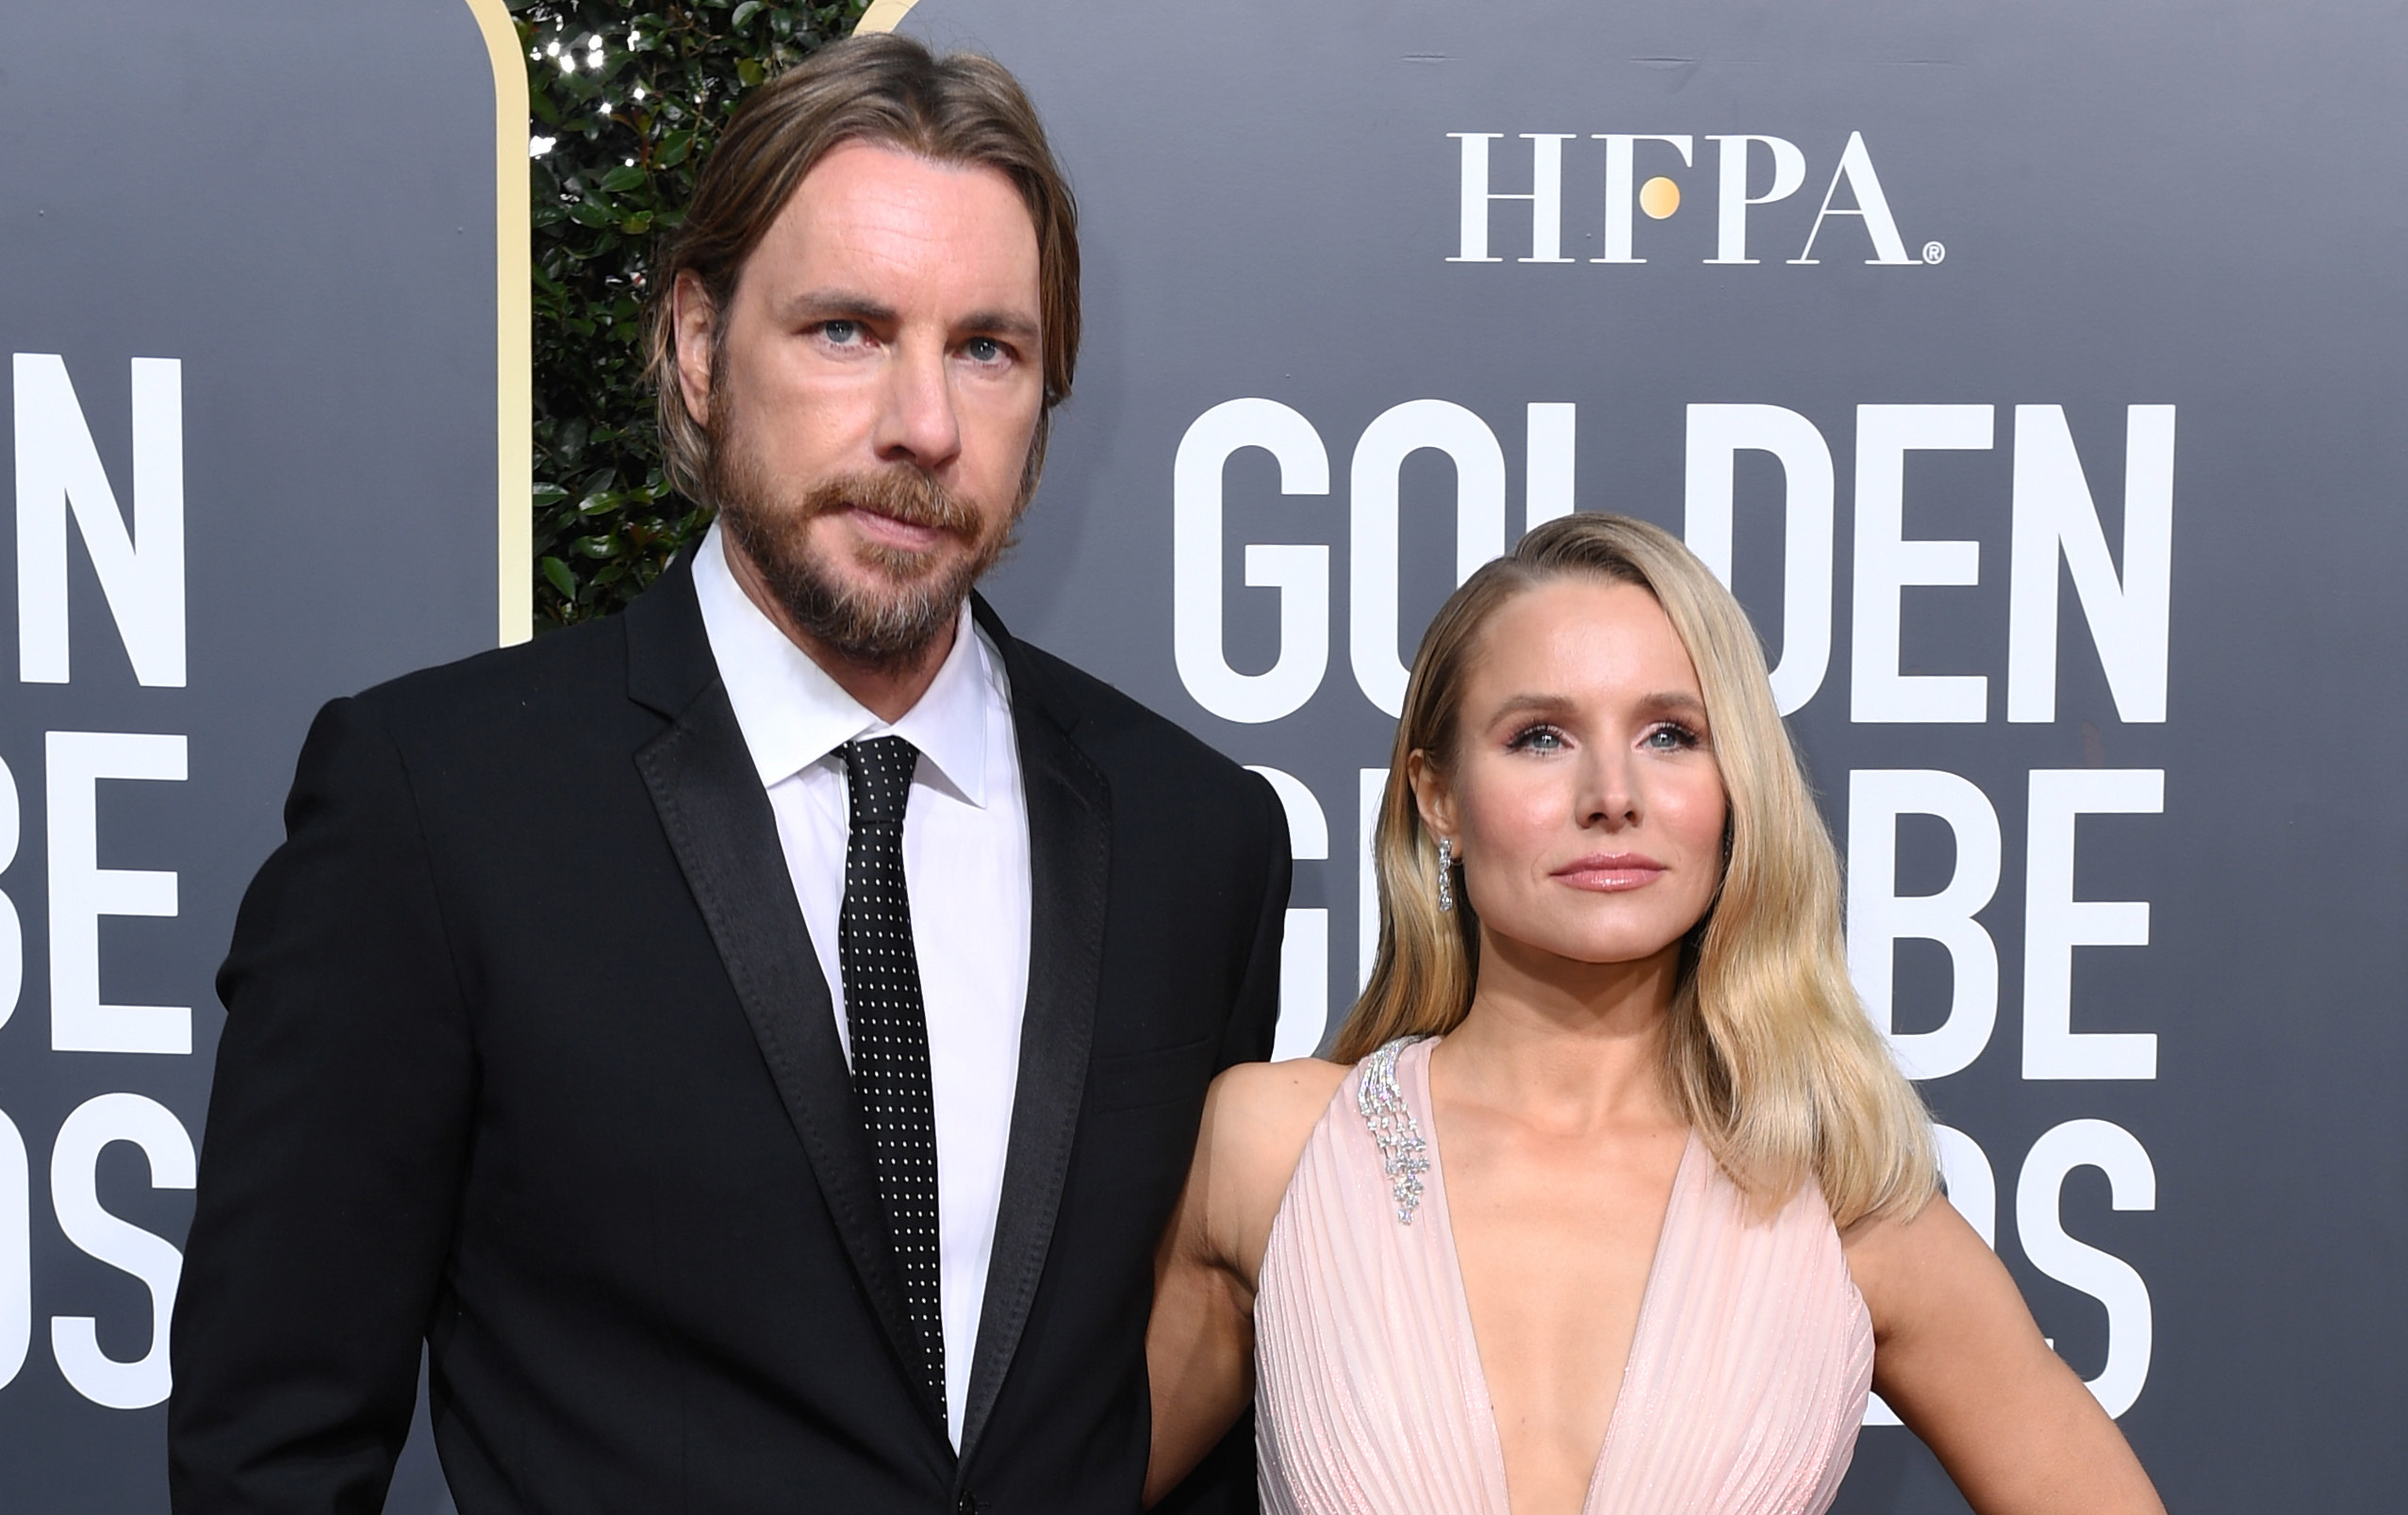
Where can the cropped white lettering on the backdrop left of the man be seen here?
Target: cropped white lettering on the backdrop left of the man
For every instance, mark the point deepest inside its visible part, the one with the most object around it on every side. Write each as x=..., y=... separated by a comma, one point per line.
x=141, y=570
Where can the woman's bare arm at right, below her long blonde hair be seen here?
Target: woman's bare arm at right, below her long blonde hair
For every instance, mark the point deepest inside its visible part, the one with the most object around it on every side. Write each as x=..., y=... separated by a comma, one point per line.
x=1964, y=1364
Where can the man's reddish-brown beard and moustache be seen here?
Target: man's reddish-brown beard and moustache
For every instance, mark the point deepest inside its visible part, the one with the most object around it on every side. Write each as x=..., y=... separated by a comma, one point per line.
x=911, y=599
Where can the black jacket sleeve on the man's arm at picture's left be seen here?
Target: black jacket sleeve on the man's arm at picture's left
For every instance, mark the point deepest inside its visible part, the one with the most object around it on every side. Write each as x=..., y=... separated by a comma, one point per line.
x=334, y=1150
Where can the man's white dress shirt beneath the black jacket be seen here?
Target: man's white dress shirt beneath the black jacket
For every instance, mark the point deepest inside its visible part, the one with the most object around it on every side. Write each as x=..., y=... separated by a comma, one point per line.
x=967, y=871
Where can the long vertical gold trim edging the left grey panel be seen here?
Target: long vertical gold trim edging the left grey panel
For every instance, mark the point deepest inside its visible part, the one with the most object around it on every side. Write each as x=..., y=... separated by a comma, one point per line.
x=514, y=317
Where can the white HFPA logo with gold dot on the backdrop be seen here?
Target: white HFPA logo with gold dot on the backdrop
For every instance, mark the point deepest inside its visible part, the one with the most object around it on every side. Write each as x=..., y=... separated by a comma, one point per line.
x=1660, y=196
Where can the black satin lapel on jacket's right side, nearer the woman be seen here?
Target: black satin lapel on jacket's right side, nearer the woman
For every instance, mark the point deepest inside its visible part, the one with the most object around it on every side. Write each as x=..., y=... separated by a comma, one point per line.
x=1070, y=856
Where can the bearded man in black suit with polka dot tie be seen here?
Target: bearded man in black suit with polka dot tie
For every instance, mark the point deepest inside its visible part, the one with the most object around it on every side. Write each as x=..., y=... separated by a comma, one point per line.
x=752, y=1042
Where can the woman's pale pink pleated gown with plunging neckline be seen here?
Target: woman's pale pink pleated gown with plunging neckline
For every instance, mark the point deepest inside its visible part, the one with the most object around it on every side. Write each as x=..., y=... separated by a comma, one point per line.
x=1745, y=1386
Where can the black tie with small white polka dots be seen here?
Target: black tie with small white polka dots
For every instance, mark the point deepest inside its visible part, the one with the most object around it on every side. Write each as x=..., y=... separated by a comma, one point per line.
x=890, y=1027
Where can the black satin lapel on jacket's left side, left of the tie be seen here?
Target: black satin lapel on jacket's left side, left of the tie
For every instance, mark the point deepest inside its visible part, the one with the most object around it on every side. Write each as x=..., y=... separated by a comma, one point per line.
x=726, y=842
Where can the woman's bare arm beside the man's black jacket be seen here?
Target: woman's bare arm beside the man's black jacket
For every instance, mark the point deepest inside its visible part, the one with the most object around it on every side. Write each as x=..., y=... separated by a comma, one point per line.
x=1200, y=1345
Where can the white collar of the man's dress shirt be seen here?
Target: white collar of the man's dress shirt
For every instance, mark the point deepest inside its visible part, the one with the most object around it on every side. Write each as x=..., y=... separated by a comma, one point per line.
x=793, y=714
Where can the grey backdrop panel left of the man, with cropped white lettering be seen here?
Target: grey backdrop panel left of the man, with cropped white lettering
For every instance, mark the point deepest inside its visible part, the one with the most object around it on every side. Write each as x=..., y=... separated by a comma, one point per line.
x=254, y=293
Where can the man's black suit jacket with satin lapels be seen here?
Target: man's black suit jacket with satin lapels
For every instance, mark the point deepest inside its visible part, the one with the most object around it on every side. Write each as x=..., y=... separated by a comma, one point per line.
x=529, y=1056
